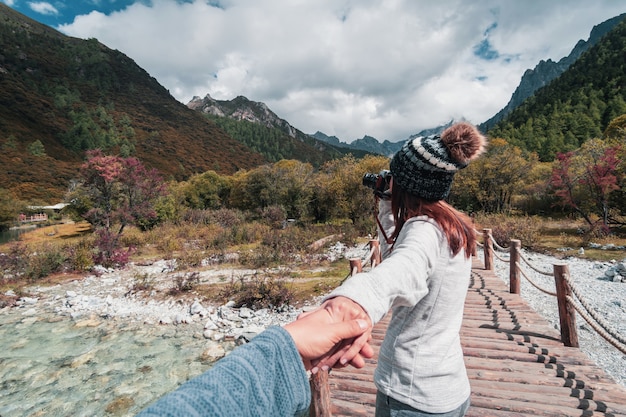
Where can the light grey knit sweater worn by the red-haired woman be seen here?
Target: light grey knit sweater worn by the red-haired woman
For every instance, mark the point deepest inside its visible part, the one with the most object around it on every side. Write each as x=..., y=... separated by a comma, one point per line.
x=420, y=361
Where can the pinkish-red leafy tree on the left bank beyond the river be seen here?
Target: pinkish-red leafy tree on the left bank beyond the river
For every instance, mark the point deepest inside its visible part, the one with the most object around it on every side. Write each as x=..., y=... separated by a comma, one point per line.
x=115, y=192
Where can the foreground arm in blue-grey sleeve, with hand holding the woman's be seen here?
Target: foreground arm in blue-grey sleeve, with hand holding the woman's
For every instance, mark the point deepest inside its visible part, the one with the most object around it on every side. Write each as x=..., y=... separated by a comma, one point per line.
x=265, y=377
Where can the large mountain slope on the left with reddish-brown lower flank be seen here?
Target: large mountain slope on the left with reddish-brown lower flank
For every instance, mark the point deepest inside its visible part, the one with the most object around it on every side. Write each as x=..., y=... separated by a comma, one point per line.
x=60, y=96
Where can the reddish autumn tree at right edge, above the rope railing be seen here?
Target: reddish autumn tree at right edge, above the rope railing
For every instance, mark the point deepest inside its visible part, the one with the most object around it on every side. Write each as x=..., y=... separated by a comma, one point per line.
x=584, y=180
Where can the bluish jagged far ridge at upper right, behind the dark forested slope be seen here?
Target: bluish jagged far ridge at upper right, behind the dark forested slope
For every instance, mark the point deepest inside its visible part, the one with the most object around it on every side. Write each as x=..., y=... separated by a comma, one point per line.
x=546, y=71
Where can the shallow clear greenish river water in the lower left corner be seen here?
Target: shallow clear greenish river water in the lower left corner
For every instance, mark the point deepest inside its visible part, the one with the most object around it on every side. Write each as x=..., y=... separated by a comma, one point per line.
x=58, y=367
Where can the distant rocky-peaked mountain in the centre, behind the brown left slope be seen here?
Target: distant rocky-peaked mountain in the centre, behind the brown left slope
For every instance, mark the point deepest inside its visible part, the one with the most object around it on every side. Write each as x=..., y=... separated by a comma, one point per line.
x=259, y=128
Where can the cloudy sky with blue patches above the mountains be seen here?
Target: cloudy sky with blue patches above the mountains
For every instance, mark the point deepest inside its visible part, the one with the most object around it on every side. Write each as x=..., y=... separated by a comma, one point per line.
x=347, y=68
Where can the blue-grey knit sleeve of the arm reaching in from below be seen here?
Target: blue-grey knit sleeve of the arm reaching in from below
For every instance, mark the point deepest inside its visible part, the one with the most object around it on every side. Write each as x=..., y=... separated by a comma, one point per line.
x=265, y=377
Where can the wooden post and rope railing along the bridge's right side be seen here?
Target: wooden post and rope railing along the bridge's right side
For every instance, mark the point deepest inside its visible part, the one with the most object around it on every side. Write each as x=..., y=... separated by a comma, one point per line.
x=564, y=290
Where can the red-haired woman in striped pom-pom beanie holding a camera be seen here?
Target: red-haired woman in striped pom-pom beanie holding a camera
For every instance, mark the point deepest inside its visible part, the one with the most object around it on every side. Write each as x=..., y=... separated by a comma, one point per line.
x=423, y=280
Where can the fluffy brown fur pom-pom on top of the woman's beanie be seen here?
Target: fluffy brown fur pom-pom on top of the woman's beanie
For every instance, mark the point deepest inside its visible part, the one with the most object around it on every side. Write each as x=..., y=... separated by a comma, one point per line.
x=464, y=142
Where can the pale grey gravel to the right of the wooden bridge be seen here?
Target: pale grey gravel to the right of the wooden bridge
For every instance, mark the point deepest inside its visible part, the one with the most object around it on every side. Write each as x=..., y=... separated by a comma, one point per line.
x=598, y=286
